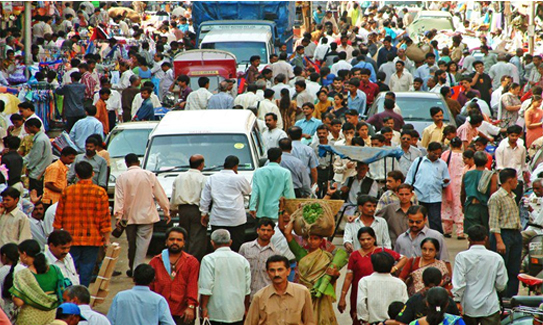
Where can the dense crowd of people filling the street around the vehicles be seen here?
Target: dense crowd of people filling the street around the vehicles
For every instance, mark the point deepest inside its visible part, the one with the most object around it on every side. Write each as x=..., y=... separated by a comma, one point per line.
x=55, y=218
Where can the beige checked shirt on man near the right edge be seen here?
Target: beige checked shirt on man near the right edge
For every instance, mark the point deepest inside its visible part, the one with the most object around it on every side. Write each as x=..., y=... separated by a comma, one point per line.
x=503, y=212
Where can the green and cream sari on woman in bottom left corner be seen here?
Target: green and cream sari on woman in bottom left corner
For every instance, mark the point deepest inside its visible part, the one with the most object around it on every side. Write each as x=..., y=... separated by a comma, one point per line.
x=39, y=307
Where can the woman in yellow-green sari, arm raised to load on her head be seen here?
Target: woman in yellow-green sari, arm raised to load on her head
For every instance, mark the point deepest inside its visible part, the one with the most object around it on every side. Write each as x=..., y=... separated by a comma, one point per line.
x=313, y=264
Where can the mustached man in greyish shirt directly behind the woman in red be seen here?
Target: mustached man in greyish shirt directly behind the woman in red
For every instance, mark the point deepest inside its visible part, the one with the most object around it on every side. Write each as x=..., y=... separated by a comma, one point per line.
x=408, y=243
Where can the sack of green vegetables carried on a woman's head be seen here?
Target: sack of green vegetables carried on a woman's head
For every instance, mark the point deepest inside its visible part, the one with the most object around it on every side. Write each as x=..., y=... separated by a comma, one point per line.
x=314, y=218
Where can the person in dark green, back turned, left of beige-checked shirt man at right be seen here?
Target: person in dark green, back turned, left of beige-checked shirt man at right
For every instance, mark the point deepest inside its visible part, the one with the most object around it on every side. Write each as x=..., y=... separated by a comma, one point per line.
x=475, y=200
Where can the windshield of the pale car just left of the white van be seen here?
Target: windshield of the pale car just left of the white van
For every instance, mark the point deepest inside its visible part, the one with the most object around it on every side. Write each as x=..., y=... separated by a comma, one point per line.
x=121, y=142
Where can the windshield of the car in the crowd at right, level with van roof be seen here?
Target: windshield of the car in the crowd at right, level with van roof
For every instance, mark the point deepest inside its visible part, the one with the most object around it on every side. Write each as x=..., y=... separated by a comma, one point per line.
x=412, y=108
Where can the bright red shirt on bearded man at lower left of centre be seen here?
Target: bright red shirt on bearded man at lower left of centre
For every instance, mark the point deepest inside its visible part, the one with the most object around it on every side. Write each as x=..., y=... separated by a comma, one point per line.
x=181, y=291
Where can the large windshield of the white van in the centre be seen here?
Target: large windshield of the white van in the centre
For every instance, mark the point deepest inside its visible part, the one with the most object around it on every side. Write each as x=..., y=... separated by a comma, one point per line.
x=172, y=152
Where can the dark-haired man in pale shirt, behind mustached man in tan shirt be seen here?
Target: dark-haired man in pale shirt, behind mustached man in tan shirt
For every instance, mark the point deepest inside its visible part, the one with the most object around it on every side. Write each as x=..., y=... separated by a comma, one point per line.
x=257, y=253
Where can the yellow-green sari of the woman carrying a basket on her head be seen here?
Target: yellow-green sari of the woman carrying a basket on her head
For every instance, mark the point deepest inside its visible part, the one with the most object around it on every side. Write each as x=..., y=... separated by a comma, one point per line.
x=312, y=267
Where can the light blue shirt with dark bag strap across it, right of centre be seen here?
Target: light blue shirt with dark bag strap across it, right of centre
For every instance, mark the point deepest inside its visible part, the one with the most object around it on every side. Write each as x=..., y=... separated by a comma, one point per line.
x=429, y=182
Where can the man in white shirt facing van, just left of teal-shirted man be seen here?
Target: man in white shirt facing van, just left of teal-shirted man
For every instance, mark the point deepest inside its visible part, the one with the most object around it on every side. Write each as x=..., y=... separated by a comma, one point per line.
x=226, y=189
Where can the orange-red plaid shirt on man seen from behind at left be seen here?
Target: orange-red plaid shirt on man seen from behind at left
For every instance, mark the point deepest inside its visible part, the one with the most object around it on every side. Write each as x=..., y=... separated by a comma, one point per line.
x=83, y=211
